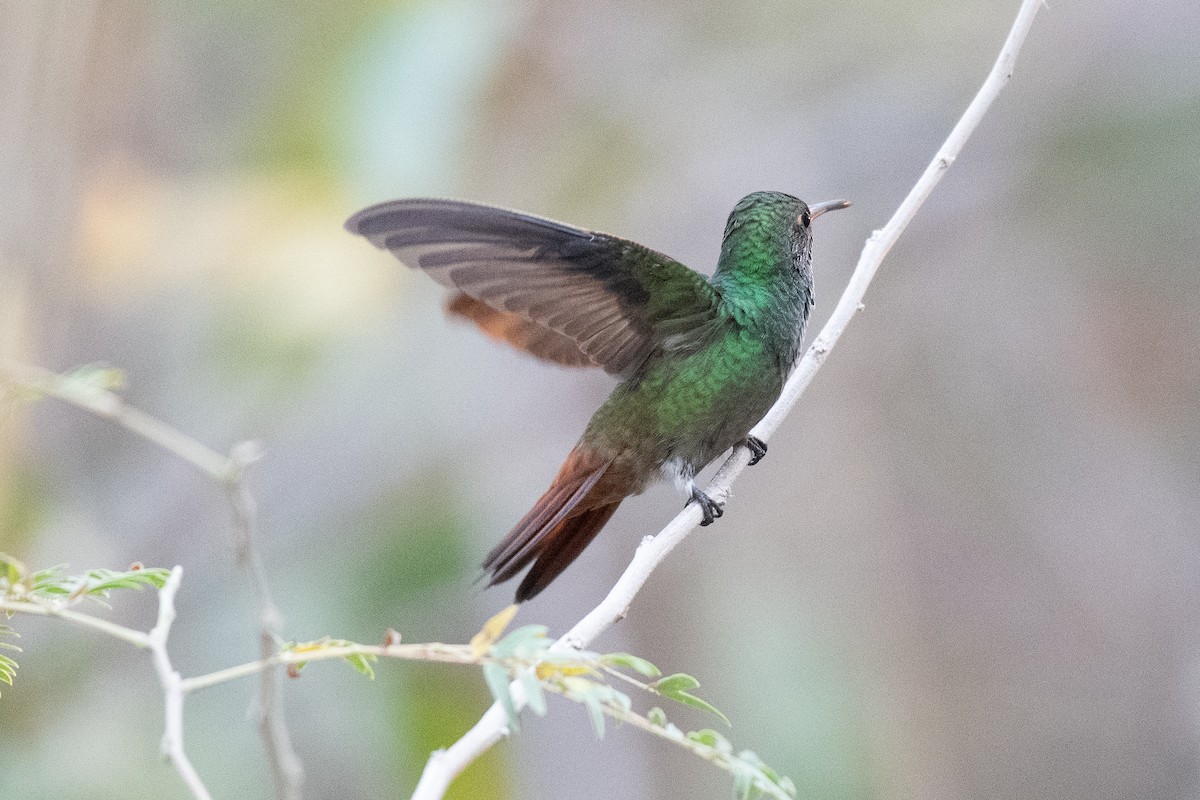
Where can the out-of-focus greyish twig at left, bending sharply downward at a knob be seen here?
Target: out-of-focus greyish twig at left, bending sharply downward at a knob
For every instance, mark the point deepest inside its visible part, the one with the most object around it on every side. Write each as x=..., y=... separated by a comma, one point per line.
x=230, y=473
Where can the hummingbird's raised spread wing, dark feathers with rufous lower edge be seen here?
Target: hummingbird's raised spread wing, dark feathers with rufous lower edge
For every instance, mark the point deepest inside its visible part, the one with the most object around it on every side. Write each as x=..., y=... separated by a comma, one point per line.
x=562, y=293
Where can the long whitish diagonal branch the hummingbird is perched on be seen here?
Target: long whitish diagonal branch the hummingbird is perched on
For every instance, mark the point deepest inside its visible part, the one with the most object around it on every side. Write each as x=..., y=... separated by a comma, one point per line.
x=446, y=765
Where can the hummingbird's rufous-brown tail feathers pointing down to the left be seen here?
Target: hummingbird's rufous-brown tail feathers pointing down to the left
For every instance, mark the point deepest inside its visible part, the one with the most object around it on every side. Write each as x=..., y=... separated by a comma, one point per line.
x=562, y=524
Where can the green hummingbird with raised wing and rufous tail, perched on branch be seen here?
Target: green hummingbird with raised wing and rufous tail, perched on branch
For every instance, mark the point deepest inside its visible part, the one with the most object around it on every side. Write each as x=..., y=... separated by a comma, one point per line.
x=700, y=360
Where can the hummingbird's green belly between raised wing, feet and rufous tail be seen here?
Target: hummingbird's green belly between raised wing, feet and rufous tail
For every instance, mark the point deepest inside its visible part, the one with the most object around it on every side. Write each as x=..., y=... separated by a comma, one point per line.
x=689, y=410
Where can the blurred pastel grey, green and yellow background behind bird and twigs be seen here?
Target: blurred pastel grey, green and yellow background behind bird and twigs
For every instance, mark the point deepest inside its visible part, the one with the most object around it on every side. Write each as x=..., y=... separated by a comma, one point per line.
x=968, y=568
